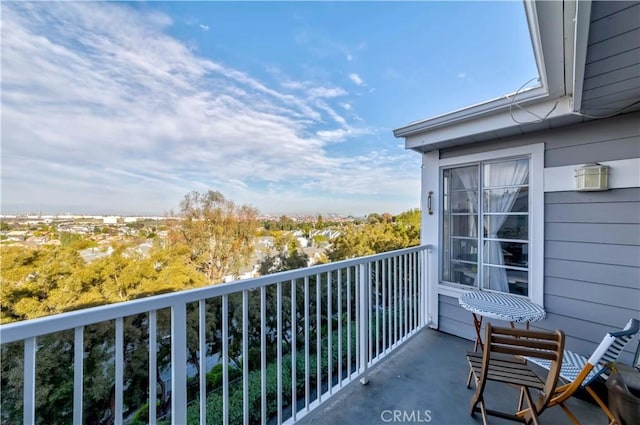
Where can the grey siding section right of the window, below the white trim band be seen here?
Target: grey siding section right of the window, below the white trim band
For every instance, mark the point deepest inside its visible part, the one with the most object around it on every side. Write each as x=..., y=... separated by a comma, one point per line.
x=592, y=264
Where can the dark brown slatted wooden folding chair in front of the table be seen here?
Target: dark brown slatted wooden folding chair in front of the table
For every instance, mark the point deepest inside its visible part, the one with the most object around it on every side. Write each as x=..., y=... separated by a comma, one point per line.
x=502, y=360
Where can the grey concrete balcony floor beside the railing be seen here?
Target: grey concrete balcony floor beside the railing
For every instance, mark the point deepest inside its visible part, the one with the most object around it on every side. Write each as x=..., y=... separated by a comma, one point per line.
x=429, y=374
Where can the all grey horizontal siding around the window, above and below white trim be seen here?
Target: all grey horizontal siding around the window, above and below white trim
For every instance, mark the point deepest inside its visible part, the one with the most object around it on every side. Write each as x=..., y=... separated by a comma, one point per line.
x=592, y=239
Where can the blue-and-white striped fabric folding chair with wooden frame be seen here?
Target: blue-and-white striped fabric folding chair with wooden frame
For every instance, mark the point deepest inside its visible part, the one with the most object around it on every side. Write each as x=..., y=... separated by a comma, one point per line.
x=578, y=371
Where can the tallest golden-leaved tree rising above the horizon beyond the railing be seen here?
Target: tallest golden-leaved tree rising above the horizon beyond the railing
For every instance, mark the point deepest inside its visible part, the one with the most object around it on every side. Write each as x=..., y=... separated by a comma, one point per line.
x=219, y=234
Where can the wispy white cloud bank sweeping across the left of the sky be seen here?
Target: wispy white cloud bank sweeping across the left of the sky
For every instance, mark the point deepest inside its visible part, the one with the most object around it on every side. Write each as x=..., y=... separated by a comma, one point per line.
x=103, y=111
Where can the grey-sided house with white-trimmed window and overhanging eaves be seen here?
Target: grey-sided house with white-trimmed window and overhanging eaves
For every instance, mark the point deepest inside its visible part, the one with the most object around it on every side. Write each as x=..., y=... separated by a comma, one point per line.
x=501, y=204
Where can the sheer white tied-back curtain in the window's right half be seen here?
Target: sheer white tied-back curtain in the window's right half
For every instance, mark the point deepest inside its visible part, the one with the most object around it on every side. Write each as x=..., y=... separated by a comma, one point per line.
x=500, y=201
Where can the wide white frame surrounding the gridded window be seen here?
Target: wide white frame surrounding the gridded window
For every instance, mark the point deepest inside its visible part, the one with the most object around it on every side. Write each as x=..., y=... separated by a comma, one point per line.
x=535, y=153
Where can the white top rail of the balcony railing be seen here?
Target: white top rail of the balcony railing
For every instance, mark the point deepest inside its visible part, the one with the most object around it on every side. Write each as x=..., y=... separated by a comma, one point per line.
x=59, y=322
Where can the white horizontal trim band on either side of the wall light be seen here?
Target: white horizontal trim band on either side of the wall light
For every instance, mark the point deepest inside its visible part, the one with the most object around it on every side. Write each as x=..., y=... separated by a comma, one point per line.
x=622, y=174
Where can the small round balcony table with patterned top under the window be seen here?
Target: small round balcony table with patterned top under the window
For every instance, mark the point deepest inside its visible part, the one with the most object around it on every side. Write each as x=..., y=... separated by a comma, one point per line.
x=501, y=306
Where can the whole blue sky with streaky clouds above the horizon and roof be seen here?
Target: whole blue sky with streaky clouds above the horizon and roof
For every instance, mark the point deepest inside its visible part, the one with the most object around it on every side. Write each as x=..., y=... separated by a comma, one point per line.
x=123, y=108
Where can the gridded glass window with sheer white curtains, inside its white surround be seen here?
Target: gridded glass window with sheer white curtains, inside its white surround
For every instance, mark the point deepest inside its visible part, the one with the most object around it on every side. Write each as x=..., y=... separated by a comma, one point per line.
x=486, y=238
